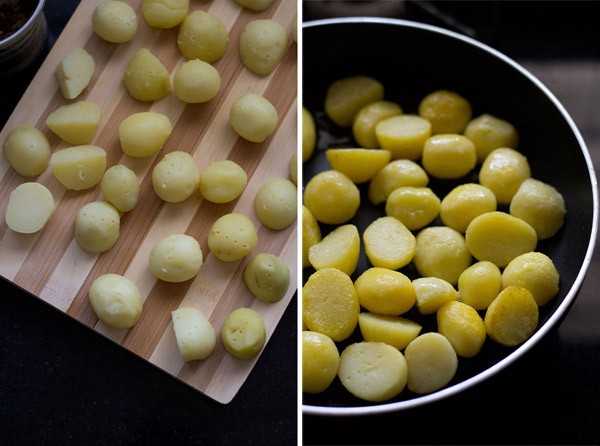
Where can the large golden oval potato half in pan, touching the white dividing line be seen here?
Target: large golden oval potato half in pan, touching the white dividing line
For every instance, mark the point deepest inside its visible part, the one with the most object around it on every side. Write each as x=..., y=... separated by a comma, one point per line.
x=330, y=304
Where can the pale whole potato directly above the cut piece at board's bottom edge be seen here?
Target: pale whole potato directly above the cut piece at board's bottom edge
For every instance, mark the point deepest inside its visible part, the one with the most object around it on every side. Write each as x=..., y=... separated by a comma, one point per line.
x=176, y=258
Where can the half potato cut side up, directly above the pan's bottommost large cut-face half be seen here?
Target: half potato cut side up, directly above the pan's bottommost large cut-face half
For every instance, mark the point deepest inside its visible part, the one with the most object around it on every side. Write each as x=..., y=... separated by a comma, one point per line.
x=392, y=330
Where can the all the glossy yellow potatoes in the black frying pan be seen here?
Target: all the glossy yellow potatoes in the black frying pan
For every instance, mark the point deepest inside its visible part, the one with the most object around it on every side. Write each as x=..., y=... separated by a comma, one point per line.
x=471, y=253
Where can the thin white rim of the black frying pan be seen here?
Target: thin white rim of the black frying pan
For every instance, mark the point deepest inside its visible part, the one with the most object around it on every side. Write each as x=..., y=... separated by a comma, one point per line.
x=569, y=298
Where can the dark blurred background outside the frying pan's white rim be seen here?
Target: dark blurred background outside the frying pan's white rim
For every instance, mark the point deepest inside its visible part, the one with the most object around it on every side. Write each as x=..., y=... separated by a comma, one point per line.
x=552, y=395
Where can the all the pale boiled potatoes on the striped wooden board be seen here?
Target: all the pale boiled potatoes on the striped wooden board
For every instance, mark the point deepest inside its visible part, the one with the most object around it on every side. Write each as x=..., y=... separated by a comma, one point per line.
x=202, y=39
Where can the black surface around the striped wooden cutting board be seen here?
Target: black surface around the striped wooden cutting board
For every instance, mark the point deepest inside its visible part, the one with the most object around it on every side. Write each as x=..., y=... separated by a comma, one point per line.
x=63, y=384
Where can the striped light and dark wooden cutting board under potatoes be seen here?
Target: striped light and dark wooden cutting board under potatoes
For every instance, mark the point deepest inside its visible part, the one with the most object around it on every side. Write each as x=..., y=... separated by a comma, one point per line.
x=51, y=265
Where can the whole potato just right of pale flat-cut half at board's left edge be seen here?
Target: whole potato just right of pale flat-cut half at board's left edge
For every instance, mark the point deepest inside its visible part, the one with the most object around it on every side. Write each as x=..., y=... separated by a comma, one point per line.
x=97, y=227
